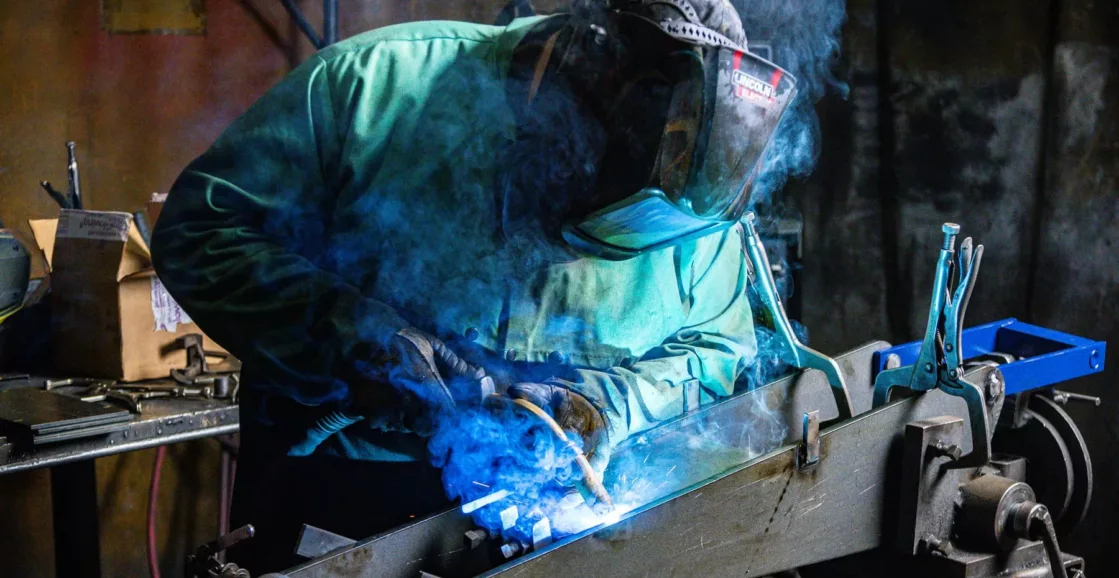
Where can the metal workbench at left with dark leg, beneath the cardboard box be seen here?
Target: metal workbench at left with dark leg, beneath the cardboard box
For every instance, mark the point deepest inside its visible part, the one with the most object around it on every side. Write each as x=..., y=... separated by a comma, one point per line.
x=73, y=479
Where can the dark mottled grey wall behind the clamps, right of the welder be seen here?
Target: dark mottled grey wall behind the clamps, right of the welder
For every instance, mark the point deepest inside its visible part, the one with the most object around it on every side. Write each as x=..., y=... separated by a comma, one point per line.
x=1001, y=116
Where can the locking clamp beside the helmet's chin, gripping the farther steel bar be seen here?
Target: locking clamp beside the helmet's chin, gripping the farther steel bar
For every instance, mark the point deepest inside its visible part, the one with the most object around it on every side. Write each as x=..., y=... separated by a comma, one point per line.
x=791, y=349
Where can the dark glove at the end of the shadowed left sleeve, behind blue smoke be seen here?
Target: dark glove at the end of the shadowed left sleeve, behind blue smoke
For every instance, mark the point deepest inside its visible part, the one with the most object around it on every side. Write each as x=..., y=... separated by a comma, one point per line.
x=426, y=382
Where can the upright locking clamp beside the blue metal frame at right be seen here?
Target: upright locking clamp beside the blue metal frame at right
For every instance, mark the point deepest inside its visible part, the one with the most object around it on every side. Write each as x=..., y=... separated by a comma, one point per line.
x=941, y=363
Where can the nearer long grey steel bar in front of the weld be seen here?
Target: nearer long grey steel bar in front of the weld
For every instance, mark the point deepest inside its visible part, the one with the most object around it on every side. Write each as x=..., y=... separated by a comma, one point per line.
x=761, y=518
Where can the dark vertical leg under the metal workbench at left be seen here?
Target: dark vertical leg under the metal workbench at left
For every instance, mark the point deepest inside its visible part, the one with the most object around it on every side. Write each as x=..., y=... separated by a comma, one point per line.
x=74, y=503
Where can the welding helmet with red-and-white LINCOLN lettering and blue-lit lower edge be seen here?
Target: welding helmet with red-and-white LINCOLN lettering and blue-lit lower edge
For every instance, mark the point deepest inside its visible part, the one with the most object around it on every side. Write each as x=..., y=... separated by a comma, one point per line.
x=720, y=109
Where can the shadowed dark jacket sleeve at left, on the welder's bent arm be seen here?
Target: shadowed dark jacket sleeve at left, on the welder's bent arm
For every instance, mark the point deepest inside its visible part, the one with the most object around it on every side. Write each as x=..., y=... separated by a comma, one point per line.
x=242, y=242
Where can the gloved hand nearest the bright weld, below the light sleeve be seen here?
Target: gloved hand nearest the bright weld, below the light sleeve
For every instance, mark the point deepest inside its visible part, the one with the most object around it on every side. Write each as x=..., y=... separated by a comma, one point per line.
x=576, y=415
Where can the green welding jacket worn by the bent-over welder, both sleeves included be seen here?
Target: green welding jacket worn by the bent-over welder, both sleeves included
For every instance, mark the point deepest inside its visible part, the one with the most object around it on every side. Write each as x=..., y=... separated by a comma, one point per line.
x=358, y=197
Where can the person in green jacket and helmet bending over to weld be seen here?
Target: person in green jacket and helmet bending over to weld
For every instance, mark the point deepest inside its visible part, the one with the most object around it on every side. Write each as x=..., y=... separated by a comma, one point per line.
x=553, y=204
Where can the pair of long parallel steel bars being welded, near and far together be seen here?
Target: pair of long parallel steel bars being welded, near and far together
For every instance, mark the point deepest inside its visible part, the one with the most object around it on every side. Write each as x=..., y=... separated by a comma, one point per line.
x=736, y=522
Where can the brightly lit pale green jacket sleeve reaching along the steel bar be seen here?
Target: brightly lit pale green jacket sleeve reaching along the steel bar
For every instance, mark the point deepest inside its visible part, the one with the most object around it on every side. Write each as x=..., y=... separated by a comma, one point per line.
x=710, y=353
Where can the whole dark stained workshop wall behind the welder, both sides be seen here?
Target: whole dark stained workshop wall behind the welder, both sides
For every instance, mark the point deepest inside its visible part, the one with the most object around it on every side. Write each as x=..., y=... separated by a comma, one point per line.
x=1002, y=116
